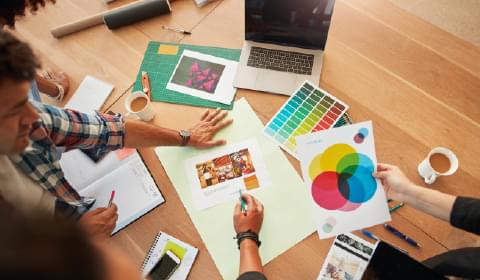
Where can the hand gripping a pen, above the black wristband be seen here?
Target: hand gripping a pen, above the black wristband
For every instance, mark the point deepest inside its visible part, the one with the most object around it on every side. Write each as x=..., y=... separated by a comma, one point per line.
x=254, y=216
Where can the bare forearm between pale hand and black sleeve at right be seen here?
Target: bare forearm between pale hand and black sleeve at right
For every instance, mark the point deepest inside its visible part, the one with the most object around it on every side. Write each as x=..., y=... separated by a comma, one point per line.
x=430, y=201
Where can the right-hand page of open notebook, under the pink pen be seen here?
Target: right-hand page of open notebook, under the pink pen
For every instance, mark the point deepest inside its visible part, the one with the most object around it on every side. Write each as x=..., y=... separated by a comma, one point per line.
x=135, y=191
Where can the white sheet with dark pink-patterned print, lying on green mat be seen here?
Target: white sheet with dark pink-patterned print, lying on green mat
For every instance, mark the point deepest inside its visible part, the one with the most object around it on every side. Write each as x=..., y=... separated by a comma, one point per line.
x=224, y=92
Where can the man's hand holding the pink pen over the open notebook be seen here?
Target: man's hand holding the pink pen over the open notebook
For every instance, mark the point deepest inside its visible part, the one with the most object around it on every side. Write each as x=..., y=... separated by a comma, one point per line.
x=101, y=221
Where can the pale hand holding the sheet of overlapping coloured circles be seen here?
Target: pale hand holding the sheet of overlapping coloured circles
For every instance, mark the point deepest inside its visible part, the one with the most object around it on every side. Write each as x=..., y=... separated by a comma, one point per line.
x=397, y=185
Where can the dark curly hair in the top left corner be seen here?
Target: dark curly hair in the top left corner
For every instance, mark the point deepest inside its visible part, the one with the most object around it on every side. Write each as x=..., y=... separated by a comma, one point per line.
x=13, y=8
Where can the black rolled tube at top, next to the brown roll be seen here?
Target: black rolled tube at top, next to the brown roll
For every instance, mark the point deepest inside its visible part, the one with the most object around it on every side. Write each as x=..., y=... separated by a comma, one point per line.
x=133, y=13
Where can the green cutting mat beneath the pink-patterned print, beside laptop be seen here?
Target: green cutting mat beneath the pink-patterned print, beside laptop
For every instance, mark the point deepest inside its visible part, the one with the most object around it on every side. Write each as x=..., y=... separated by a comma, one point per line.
x=160, y=68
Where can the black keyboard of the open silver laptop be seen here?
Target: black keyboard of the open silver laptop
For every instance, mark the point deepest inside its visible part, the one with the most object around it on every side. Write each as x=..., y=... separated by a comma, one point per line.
x=285, y=61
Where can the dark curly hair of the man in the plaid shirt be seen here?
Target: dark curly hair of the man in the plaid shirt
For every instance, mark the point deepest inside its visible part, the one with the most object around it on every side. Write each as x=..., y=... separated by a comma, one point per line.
x=17, y=61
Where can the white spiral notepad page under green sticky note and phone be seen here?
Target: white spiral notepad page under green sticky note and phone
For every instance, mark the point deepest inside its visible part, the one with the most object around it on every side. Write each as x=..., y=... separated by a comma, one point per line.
x=155, y=254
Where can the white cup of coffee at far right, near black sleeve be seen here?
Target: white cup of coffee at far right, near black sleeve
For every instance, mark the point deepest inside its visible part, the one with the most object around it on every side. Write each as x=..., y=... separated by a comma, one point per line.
x=439, y=162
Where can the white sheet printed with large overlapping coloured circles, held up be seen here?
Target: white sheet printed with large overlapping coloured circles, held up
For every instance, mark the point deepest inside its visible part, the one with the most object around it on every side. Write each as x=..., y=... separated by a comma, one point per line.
x=337, y=166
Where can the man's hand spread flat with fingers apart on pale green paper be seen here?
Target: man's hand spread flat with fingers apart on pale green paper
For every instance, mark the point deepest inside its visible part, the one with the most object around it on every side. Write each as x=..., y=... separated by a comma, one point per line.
x=201, y=135
